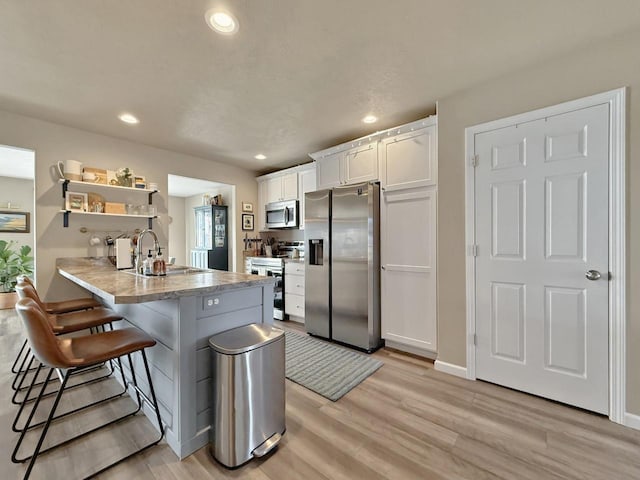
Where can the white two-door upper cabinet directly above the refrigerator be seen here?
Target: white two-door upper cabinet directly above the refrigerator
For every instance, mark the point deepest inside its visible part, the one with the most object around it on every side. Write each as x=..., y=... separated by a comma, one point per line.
x=358, y=164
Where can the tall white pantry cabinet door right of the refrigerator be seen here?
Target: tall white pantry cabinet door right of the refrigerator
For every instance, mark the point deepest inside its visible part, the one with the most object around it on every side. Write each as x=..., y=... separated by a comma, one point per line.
x=408, y=248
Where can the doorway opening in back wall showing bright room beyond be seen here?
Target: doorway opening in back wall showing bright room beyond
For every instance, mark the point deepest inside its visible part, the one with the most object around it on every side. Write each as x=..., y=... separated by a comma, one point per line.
x=186, y=196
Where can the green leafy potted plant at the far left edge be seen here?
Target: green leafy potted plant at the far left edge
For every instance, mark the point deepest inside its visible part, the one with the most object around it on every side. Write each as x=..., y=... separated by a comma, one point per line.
x=14, y=261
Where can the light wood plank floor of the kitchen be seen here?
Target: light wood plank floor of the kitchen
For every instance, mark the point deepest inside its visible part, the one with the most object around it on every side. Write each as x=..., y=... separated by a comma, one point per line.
x=406, y=421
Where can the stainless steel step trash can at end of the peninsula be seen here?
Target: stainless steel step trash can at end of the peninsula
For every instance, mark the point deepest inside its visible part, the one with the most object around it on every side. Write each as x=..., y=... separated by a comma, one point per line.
x=248, y=397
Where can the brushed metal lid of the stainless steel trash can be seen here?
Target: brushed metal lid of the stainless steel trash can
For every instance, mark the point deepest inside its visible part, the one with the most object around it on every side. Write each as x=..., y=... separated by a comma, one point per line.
x=243, y=339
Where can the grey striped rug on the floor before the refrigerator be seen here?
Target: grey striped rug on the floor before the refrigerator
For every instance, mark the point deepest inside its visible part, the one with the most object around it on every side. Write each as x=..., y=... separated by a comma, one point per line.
x=324, y=368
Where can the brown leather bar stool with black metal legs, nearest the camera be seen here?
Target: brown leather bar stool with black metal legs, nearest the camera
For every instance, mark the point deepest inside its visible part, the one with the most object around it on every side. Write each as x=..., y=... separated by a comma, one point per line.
x=69, y=355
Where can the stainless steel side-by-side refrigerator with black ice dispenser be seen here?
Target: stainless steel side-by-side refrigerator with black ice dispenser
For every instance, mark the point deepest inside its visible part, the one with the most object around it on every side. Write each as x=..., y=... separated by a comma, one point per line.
x=342, y=265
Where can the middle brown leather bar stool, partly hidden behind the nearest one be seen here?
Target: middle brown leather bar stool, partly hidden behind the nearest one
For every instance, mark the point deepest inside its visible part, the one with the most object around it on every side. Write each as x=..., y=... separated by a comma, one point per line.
x=60, y=324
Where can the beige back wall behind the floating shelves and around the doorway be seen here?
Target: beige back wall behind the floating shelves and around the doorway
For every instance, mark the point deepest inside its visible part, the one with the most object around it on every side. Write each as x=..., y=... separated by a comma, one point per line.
x=53, y=142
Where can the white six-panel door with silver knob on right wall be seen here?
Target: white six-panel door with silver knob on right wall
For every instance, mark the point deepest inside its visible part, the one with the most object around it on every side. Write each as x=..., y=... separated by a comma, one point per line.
x=541, y=196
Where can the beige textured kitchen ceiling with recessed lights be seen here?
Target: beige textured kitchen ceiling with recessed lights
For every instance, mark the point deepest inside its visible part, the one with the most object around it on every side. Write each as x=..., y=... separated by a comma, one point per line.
x=297, y=77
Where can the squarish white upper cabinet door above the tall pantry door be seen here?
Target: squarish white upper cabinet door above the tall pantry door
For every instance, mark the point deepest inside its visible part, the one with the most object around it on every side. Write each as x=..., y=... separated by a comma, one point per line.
x=409, y=160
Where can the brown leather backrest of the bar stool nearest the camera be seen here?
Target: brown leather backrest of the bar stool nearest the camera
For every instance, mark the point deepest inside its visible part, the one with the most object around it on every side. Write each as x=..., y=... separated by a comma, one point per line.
x=44, y=344
